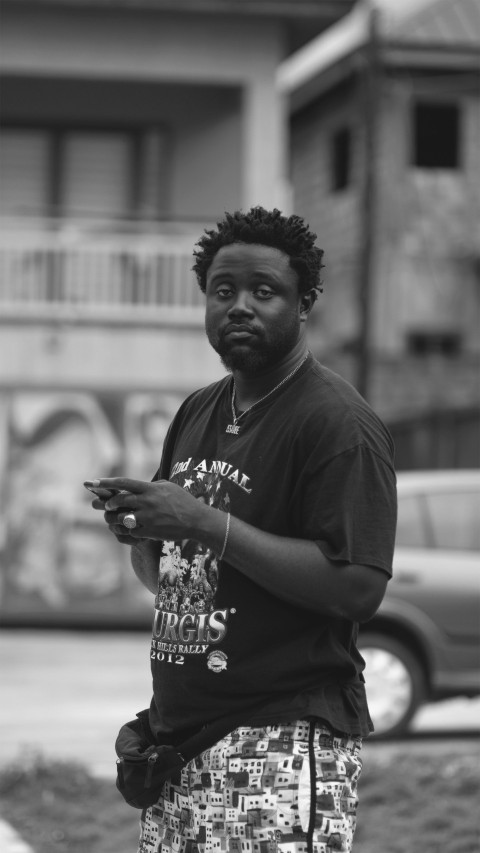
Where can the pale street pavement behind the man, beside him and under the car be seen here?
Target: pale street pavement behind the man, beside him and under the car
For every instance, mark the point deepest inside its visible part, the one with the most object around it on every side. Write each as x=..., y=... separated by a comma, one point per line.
x=65, y=694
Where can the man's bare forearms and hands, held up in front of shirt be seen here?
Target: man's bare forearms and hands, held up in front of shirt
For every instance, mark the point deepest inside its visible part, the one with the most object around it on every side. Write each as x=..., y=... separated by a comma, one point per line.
x=294, y=570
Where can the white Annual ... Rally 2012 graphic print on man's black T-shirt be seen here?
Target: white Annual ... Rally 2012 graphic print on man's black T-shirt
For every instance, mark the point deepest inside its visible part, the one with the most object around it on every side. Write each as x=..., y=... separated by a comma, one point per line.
x=186, y=620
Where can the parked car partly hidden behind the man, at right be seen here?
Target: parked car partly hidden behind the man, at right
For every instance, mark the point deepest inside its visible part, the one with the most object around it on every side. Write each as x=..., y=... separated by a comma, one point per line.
x=423, y=643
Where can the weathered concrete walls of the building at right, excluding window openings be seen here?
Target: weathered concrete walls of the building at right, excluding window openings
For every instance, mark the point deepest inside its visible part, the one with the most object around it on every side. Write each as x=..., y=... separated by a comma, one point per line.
x=426, y=238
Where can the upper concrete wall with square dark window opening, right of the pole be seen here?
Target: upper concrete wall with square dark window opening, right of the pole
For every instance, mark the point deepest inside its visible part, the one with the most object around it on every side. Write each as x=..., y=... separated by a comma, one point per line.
x=427, y=227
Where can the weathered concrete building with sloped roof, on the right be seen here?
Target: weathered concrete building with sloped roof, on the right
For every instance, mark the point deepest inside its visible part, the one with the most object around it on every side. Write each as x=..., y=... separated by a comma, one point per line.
x=385, y=164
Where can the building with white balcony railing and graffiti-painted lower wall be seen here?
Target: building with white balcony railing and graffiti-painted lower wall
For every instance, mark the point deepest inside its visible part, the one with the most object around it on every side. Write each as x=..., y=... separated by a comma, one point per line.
x=126, y=128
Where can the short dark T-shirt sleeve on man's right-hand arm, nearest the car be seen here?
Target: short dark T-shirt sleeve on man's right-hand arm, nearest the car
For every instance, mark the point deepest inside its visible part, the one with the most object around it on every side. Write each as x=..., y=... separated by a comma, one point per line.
x=349, y=507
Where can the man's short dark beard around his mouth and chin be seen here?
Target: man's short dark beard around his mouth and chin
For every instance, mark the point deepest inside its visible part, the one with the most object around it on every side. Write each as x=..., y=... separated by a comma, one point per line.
x=259, y=354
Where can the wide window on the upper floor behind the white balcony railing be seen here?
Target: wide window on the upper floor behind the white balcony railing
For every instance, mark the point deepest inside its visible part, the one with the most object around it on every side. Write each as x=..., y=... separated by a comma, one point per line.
x=82, y=173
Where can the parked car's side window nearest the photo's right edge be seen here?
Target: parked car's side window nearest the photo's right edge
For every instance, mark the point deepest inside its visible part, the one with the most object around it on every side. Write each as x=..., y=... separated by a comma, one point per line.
x=455, y=519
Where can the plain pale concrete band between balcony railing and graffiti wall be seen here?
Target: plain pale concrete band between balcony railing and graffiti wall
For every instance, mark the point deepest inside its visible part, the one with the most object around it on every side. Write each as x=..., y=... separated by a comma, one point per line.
x=99, y=358
